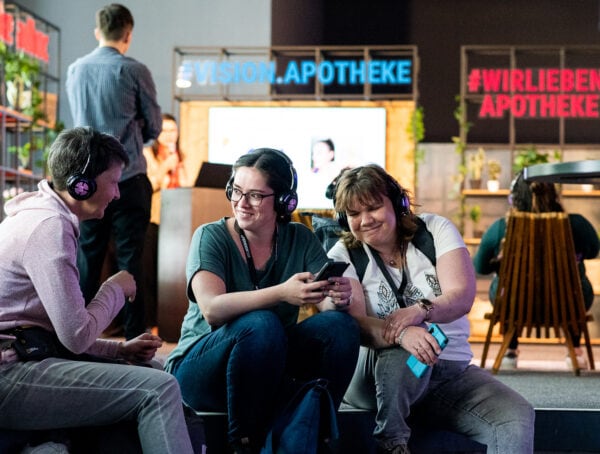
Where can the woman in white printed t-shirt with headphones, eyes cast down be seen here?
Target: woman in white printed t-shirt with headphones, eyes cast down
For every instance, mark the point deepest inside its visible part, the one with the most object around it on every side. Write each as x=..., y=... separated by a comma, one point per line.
x=402, y=292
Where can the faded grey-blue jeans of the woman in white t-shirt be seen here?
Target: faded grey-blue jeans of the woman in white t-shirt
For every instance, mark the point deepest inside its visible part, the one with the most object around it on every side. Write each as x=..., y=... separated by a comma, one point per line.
x=452, y=395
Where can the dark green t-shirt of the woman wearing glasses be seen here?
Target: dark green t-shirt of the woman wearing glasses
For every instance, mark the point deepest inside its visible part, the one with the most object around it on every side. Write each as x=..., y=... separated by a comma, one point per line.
x=213, y=249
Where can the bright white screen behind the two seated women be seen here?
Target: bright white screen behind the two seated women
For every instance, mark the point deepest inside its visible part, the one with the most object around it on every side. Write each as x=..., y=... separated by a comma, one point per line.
x=320, y=141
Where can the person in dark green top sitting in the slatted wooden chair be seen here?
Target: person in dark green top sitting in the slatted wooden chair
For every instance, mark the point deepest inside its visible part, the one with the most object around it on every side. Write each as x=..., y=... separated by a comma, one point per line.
x=537, y=197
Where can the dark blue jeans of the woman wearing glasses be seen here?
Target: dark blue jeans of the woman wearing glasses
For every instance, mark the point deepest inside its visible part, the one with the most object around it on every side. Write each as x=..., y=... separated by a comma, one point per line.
x=242, y=367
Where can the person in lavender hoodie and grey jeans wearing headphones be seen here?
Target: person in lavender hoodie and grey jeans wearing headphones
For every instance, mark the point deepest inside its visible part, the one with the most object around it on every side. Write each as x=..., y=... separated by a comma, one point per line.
x=40, y=295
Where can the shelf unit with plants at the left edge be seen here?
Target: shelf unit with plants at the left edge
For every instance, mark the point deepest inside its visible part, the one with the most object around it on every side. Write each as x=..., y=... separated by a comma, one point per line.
x=16, y=128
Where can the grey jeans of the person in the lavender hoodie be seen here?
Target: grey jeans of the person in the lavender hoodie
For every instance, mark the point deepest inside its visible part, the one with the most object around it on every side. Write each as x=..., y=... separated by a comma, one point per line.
x=57, y=393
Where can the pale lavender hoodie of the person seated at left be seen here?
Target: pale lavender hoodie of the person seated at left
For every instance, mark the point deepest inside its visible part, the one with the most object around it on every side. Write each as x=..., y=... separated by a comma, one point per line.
x=39, y=280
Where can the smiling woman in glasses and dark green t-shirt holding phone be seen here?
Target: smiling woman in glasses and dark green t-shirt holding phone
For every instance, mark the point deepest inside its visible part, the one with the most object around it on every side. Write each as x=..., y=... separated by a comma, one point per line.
x=247, y=276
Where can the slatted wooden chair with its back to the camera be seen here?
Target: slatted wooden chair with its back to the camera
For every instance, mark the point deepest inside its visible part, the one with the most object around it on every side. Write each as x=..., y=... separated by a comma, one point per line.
x=539, y=289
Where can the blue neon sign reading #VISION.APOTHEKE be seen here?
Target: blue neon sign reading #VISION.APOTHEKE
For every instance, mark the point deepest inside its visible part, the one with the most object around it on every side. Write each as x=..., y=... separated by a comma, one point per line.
x=303, y=72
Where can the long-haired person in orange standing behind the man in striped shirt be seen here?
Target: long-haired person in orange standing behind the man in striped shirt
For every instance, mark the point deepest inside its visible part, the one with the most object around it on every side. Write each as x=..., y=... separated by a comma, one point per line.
x=165, y=171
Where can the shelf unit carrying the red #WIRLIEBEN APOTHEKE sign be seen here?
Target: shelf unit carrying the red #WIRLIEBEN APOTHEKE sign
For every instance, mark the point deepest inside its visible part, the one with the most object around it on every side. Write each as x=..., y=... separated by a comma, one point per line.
x=517, y=73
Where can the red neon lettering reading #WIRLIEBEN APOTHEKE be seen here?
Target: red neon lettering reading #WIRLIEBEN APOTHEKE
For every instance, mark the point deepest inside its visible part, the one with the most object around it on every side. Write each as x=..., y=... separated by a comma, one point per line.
x=537, y=93
